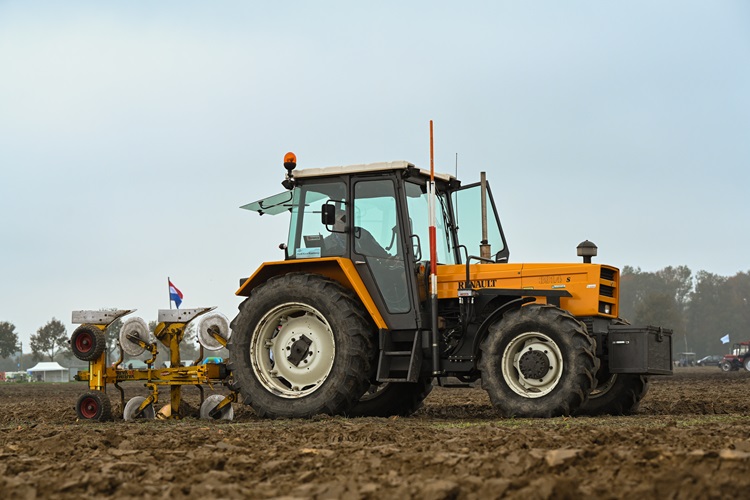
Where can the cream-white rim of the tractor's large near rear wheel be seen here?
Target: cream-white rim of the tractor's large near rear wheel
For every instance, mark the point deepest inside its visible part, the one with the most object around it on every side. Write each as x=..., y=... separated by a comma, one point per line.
x=278, y=334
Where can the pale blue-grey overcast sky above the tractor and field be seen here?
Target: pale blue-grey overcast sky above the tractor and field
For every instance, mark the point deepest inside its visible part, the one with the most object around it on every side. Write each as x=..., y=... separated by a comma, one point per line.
x=131, y=132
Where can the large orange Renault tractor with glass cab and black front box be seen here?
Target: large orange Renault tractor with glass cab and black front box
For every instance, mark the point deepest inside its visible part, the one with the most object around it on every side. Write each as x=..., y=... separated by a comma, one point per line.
x=395, y=277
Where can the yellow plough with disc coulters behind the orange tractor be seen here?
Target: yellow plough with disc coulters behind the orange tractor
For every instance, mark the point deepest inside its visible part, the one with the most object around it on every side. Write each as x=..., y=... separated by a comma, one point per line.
x=88, y=343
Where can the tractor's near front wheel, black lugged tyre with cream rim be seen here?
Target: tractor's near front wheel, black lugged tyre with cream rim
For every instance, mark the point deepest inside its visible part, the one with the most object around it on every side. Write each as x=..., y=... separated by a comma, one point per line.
x=538, y=362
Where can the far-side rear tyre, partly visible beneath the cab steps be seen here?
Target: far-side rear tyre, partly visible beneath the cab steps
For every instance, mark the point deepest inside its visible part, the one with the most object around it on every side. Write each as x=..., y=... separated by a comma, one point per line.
x=393, y=399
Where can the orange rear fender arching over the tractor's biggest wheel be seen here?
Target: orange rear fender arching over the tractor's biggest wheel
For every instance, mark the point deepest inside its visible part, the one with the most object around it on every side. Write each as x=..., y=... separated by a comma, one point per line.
x=336, y=268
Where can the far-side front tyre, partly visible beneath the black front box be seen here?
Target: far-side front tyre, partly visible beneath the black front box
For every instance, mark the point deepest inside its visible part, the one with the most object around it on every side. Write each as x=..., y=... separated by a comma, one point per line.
x=619, y=394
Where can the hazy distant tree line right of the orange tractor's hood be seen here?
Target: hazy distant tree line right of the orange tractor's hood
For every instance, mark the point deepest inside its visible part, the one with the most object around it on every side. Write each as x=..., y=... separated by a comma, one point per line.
x=700, y=308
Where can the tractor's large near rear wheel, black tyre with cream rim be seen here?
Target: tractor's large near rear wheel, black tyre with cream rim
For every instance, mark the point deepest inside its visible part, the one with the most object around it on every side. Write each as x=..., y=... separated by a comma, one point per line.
x=308, y=317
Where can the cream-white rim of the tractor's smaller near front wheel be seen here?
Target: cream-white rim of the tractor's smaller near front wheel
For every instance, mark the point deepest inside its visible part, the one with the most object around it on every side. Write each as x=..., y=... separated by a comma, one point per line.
x=532, y=365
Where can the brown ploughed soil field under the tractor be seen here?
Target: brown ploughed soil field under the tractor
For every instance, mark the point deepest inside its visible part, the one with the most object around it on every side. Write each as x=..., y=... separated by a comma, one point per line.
x=690, y=439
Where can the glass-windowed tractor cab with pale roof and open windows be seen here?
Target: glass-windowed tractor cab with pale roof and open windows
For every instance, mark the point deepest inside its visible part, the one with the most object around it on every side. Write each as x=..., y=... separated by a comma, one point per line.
x=376, y=216
